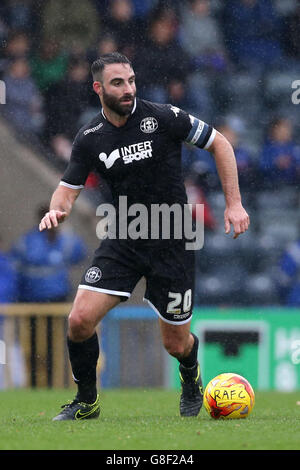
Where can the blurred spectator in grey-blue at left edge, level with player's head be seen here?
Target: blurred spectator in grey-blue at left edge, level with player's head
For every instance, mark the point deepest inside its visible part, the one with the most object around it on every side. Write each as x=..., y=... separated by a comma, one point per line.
x=23, y=100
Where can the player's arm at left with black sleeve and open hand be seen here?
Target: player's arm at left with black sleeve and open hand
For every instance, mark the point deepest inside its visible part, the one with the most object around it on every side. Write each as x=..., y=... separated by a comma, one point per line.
x=70, y=186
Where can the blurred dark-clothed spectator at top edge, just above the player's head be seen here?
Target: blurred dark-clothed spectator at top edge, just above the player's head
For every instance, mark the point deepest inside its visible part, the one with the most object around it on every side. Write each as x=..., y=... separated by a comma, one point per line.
x=121, y=24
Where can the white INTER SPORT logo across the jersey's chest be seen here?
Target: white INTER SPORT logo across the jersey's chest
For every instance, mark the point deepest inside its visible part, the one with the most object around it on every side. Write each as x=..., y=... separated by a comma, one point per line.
x=130, y=153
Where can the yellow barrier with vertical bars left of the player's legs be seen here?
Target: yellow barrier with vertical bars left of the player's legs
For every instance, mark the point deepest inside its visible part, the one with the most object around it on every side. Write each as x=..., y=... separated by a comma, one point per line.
x=33, y=338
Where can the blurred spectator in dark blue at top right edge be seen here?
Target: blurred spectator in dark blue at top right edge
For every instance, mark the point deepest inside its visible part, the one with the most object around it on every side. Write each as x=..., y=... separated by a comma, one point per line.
x=253, y=30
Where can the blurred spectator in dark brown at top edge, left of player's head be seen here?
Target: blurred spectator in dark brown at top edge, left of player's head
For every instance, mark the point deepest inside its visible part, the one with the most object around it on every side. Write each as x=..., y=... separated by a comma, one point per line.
x=71, y=23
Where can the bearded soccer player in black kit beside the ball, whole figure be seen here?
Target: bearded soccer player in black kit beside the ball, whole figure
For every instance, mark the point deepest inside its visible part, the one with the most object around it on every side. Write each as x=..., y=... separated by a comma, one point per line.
x=135, y=145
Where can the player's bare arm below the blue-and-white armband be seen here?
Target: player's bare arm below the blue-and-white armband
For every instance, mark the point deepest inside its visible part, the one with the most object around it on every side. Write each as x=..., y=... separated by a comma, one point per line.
x=234, y=214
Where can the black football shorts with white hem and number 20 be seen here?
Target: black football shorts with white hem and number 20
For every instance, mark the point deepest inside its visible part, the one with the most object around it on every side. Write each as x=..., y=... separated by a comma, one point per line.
x=169, y=270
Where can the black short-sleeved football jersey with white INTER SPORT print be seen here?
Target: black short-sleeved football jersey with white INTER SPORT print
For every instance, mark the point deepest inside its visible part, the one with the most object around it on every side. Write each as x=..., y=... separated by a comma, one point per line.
x=140, y=160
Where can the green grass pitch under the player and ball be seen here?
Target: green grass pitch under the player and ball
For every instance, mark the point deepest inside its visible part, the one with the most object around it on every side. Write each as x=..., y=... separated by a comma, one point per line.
x=138, y=419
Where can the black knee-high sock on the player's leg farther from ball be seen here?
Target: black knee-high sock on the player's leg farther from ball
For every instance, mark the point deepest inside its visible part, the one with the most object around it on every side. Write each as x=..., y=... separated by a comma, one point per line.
x=83, y=357
